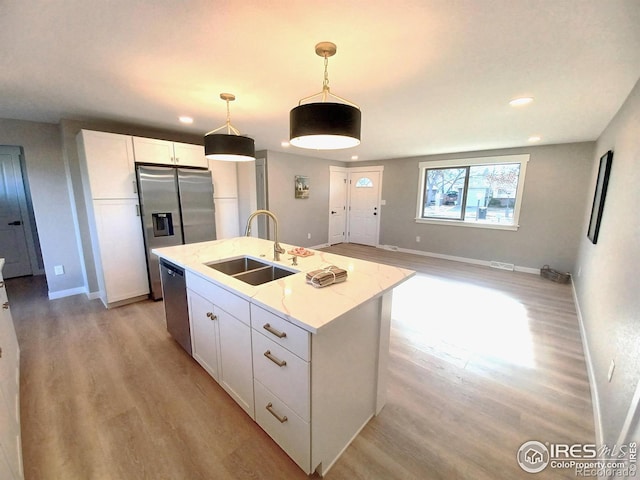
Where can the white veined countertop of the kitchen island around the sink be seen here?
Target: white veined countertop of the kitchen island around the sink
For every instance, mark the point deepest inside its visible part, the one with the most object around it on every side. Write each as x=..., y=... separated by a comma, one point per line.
x=290, y=297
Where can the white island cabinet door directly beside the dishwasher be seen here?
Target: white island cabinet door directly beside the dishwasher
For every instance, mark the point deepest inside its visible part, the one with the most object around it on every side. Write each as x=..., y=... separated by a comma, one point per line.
x=204, y=334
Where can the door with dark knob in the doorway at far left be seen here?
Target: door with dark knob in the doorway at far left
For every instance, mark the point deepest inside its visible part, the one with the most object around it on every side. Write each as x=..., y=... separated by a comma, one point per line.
x=13, y=243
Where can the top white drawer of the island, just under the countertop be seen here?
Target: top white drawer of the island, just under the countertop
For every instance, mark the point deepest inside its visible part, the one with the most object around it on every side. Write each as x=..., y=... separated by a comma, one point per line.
x=284, y=333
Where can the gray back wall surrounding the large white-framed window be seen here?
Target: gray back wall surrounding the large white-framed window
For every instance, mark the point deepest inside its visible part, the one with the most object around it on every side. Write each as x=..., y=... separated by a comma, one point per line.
x=551, y=215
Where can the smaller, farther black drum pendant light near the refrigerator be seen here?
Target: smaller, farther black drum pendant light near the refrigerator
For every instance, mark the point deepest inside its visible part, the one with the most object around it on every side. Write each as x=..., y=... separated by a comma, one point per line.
x=227, y=146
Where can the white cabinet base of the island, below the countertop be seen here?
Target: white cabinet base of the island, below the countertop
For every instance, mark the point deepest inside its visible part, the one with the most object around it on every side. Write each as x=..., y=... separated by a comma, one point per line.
x=313, y=392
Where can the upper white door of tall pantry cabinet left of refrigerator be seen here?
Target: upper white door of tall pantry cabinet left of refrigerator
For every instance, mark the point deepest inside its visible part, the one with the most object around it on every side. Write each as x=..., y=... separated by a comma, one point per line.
x=107, y=163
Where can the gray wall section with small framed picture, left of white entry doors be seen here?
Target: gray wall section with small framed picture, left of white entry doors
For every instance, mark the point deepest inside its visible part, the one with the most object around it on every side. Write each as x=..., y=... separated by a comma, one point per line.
x=299, y=217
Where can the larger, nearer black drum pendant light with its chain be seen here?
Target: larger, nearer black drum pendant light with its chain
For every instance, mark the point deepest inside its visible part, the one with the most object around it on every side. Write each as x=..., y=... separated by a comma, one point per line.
x=325, y=125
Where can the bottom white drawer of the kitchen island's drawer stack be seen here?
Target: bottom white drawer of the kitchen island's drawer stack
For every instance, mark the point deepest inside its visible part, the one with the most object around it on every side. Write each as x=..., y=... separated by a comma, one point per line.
x=283, y=425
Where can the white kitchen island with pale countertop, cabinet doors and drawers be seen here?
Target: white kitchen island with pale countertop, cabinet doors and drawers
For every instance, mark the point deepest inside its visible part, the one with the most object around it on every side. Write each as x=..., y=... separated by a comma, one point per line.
x=307, y=364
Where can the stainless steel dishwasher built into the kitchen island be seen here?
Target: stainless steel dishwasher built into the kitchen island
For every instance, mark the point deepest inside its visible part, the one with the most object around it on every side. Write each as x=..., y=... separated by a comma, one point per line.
x=174, y=292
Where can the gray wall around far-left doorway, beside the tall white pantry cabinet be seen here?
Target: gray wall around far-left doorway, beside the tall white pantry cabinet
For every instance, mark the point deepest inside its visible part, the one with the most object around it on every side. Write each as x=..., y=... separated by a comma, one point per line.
x=47, y=180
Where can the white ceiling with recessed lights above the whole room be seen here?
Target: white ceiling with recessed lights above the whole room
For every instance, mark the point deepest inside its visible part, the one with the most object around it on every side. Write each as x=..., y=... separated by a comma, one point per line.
x=431, y=76
